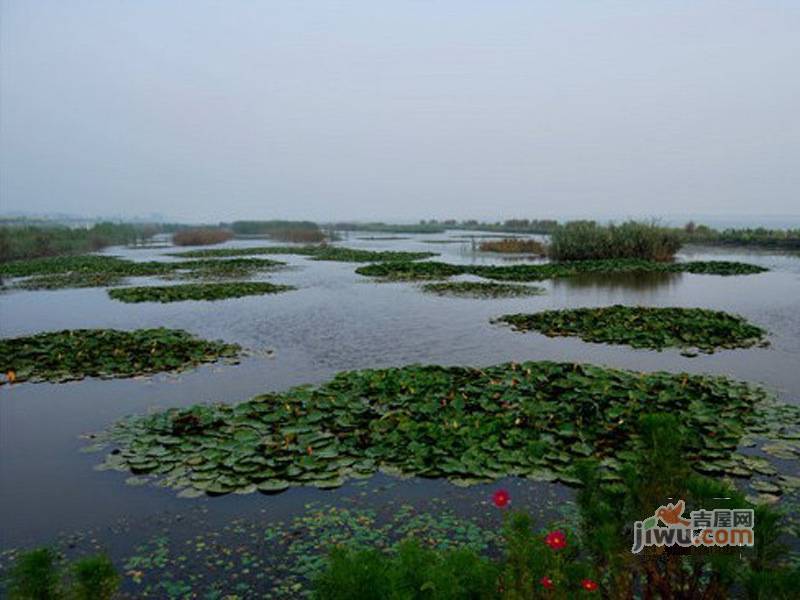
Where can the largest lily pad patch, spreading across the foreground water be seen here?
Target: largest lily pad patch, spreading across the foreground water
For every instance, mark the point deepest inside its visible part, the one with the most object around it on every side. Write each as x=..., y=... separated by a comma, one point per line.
x=466, y=424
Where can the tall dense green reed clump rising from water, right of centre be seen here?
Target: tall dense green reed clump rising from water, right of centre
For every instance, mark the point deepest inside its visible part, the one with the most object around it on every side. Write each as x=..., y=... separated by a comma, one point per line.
x=586, y=240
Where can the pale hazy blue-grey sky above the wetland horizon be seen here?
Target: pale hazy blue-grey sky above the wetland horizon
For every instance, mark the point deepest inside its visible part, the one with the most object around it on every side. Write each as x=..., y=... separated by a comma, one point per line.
x=399, y=110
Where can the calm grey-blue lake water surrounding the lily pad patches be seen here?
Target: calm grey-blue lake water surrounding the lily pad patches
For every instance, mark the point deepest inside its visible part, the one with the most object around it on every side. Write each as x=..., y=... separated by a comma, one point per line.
x=335, y=321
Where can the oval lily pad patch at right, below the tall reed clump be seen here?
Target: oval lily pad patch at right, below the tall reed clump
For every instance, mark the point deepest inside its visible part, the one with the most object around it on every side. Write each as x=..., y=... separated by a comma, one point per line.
x=643, y=327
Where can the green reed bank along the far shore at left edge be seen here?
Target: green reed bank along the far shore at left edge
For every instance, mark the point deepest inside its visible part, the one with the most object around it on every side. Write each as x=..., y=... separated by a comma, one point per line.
x=23, y=242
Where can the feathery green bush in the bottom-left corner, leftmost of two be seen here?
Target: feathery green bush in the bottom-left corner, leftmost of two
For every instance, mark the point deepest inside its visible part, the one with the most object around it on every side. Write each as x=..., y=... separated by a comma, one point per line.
x=35, y=576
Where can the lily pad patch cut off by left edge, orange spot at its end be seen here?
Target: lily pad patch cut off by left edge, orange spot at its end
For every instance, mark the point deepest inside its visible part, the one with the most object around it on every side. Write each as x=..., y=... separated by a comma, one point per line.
x=77, y=353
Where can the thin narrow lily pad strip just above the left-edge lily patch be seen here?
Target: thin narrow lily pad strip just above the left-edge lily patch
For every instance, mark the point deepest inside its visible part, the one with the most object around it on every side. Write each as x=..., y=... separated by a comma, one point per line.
x=196, y=291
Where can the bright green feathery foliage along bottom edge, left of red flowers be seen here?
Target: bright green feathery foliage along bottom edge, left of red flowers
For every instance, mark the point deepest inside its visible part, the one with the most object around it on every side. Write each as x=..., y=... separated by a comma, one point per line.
x=411, y=572
